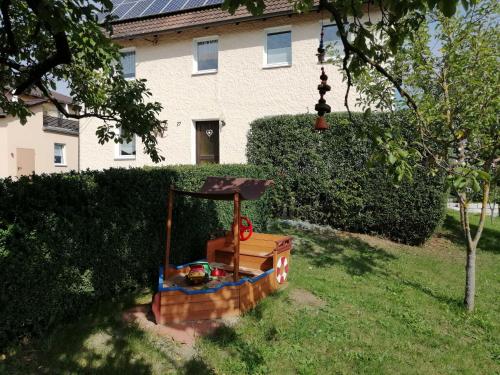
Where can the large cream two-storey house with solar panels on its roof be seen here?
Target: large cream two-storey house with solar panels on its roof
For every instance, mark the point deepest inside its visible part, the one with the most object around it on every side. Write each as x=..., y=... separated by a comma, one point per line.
x=214, y=74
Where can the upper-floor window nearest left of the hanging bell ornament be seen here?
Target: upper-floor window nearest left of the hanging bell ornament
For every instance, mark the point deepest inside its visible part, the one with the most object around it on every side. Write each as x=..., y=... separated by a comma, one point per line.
x=278, y=50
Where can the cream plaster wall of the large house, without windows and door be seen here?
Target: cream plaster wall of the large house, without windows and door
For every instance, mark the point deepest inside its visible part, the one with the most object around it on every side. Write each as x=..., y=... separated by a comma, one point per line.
x=240, y=92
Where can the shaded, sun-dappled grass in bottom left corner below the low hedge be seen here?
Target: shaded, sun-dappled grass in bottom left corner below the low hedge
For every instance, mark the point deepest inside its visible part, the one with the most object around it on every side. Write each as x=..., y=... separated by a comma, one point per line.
x=100, y=343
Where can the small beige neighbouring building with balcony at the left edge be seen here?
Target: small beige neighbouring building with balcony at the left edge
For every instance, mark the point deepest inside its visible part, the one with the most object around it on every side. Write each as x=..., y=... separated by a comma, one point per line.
x=47, y=143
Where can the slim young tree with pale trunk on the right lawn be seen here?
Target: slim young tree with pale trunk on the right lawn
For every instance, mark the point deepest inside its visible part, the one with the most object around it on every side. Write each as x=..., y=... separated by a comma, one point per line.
x=449, y=67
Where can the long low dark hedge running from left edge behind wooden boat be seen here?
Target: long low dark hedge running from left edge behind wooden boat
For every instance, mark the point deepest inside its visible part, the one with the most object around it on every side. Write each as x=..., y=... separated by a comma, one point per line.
x=67, y=241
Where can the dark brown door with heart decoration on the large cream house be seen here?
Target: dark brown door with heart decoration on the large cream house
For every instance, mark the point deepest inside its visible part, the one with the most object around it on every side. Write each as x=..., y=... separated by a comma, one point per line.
x=207, y=142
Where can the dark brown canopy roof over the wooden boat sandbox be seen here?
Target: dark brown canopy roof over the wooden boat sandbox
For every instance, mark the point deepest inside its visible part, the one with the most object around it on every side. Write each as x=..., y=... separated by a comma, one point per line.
x=223, y=188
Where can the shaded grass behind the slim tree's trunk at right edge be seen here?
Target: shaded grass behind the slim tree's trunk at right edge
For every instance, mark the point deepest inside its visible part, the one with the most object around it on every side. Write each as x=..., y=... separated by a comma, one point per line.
x=490, y=238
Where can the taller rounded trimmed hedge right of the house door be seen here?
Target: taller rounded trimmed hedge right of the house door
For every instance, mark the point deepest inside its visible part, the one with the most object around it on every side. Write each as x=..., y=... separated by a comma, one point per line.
x=327, y=178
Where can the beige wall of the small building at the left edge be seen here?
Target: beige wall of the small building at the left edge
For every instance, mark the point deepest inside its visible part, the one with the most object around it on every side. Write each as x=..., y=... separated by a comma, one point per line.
x=13, y=135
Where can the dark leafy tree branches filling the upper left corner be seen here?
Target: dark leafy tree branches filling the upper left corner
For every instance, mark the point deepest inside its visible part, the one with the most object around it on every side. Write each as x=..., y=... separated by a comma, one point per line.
x=43, y=41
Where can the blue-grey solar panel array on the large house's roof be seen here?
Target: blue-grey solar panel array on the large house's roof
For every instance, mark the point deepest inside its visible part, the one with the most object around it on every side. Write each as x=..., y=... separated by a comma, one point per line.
x=131, y=9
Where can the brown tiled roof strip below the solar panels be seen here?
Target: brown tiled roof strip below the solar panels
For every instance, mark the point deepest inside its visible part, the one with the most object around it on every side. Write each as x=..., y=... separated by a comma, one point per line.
x=192, y=18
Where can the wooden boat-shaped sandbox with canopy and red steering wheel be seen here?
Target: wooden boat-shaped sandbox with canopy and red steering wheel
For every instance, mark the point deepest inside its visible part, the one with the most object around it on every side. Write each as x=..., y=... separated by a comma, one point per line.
x=254, y=264
